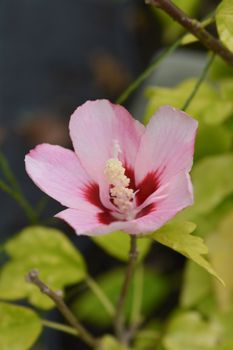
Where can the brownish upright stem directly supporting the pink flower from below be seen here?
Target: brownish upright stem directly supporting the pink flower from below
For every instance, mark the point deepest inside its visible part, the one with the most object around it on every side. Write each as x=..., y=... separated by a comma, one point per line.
x=119, y=318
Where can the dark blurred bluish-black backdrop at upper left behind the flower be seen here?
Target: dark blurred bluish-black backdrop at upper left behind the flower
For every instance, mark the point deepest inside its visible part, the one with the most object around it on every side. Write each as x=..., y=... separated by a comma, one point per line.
x=54, y=56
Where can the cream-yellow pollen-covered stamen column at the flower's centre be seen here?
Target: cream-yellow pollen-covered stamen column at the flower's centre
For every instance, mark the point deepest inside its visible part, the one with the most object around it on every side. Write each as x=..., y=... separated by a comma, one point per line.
x=122, y=195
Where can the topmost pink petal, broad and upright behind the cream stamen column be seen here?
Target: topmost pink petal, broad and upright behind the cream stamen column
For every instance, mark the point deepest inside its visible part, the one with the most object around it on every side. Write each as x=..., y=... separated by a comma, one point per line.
x=94, y=128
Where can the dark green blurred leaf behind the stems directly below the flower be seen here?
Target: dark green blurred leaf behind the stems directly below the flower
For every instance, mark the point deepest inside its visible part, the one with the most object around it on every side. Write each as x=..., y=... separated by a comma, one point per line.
x=88, y=308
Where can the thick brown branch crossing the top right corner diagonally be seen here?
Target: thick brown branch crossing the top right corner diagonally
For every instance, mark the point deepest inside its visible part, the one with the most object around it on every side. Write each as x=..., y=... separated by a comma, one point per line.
x=194, y=27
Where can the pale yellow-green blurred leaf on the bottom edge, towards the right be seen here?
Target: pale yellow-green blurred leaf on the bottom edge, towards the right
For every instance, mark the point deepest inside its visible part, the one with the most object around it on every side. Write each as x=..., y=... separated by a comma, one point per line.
x=189, y=331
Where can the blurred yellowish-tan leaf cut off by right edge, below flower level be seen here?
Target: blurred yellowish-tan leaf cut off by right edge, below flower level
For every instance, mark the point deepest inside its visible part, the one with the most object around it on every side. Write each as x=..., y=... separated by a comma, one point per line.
x=220, y=249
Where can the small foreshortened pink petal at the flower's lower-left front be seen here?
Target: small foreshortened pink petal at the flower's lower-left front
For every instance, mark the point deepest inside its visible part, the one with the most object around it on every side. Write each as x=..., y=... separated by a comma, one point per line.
x=88, y=222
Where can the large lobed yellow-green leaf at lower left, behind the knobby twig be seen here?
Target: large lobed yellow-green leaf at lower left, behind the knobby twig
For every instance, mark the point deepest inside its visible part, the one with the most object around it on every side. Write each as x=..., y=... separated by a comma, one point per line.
x=47, y=250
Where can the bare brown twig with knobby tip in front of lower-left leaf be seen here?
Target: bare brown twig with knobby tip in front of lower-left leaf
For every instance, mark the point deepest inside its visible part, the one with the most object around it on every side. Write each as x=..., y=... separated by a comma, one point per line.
x=32, y=277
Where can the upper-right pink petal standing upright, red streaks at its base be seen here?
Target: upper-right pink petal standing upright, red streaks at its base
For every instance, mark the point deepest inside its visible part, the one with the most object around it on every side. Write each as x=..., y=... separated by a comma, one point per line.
x=166, y=148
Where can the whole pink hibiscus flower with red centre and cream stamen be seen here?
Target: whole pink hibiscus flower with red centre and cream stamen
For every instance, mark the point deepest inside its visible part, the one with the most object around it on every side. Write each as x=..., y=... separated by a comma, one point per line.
x=122, y=176
